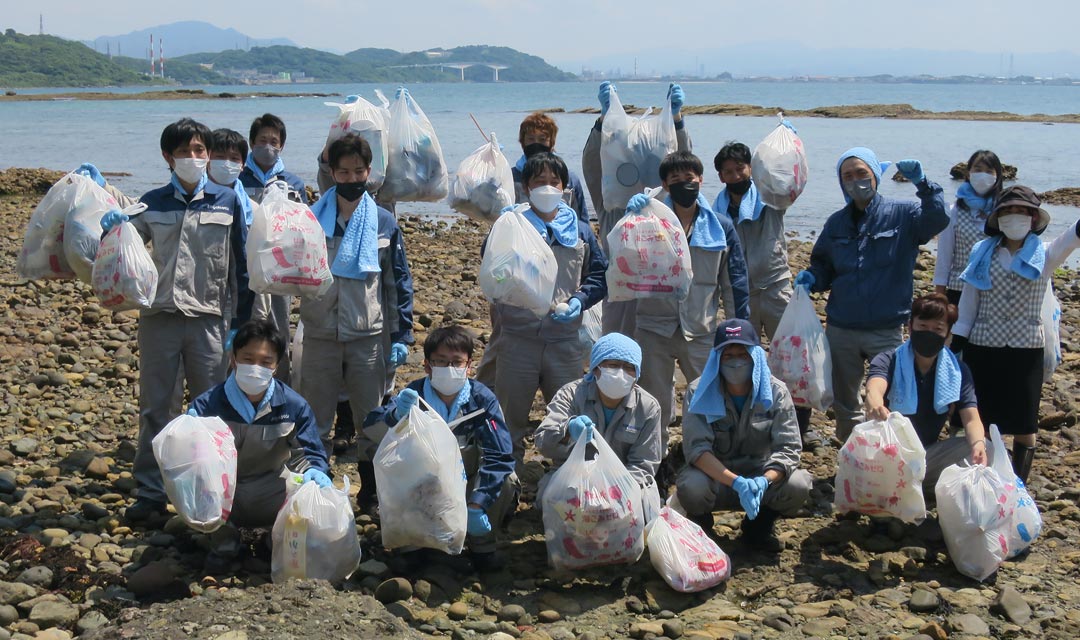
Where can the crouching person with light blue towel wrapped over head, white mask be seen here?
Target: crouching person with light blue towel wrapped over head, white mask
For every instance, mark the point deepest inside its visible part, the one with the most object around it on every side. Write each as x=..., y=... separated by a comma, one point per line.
x=610, y=404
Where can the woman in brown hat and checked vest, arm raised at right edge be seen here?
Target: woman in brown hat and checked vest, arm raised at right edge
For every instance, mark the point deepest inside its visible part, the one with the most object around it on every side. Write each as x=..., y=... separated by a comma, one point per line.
x=1001, y=330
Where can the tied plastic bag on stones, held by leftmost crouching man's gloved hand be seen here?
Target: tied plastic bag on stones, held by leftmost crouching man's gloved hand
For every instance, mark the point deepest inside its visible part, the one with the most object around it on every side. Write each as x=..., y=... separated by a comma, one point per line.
x=315, y=535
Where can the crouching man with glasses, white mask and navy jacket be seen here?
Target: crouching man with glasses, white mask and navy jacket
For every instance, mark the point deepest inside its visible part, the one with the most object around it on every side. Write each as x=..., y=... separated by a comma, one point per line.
x=477, y=420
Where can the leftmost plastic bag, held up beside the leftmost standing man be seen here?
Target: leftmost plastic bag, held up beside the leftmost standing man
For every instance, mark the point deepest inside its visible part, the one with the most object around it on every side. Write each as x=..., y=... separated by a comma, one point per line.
x=43, y=254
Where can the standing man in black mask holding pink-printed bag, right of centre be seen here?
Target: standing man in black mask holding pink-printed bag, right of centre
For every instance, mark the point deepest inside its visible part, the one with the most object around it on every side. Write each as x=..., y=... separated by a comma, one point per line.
x=670, y=330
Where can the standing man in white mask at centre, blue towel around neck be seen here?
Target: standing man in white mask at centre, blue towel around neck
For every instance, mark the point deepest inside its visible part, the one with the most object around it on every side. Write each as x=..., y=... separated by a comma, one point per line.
x=545, y=353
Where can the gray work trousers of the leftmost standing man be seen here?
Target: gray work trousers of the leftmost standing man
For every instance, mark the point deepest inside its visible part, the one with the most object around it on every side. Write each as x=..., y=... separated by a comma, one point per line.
x=172, y=346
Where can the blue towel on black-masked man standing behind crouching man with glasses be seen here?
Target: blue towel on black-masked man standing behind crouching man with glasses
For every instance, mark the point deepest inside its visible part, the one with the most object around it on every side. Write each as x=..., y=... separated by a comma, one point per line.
x=359, y=252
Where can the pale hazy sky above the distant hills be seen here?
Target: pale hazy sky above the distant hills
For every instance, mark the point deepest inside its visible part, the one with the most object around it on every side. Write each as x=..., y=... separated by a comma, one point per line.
x=562, y=31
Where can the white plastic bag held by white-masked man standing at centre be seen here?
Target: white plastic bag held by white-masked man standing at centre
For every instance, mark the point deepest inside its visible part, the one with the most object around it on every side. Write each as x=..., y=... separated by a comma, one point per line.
x=519, y=268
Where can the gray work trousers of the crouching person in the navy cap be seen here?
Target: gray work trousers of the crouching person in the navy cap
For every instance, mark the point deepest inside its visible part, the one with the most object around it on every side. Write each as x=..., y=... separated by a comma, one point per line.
x=700, y=495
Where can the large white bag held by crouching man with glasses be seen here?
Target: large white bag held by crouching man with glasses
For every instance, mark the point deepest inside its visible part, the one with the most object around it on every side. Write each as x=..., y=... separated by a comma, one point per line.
x=422, y=484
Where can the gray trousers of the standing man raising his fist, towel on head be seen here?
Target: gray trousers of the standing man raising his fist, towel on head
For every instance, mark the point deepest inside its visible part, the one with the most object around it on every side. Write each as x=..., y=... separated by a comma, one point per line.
x=850, y=350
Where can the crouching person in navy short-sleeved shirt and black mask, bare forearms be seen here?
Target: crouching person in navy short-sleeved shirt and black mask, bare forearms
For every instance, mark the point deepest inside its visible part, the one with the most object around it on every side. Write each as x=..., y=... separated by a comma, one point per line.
x=924, y=382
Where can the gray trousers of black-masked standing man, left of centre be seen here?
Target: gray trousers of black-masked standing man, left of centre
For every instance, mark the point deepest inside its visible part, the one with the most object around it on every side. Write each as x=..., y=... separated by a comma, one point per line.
x=362, y=365
